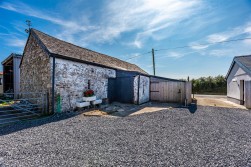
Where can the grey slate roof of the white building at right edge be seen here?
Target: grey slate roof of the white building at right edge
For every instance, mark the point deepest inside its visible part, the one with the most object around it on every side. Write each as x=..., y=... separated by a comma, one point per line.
x=243, y=61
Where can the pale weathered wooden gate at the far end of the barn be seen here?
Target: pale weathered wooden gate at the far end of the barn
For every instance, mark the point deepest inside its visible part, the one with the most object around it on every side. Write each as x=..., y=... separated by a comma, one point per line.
x=169, y=91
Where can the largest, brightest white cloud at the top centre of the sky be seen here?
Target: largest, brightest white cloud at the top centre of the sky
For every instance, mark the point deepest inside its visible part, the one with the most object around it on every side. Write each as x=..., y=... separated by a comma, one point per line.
x=145, y=16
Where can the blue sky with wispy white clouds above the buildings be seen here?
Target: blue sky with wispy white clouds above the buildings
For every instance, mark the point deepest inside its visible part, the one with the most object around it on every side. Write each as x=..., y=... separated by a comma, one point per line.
x=128, y=28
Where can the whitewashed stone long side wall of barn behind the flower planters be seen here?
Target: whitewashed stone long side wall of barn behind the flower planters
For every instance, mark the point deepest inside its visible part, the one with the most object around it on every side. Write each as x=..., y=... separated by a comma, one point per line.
x=71, y=80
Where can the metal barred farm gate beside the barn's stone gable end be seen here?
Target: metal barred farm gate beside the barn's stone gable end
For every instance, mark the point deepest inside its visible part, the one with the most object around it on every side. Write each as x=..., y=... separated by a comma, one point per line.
x=20, y=106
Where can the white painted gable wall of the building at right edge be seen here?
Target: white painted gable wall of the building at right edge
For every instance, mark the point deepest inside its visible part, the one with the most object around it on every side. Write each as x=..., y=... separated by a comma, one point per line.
x=233, y=88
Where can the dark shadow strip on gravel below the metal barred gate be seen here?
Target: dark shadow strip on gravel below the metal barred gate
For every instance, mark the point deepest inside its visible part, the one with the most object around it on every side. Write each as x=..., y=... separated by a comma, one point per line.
x=25, y=124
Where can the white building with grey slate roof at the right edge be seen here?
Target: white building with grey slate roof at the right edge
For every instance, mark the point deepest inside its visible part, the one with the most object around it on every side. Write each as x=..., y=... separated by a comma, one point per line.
x=239, y=81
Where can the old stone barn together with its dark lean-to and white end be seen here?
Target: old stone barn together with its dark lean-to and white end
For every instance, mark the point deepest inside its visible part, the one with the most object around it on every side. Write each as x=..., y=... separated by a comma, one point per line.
x=65, y=71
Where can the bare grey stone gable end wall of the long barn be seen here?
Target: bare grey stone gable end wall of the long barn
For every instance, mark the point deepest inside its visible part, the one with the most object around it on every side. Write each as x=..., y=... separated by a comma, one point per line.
x=35, y=69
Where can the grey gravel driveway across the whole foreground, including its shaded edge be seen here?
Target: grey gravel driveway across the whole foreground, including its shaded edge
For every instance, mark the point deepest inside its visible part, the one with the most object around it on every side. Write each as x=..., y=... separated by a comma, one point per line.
x=209, y=137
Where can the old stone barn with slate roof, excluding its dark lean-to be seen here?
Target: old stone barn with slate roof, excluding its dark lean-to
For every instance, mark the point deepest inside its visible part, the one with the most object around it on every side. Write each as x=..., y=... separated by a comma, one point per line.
x=52, y=65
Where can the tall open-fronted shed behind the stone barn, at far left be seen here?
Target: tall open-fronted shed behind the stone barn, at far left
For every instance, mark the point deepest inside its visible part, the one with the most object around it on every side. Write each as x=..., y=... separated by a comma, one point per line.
x=11, y=73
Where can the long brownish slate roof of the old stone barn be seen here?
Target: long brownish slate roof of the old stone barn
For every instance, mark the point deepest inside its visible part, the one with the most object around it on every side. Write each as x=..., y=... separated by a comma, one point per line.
x=60, y=47
